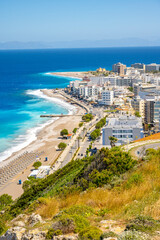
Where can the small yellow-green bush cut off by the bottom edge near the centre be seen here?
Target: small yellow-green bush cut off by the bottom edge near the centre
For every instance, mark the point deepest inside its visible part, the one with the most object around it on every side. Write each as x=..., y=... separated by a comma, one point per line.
x=91, y=233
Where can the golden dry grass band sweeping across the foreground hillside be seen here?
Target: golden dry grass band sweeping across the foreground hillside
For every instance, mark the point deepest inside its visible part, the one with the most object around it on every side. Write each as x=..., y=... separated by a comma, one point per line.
x=142, y=198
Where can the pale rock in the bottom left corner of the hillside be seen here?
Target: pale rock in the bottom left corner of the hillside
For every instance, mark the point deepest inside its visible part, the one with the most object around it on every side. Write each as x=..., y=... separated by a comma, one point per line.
x=14, y=233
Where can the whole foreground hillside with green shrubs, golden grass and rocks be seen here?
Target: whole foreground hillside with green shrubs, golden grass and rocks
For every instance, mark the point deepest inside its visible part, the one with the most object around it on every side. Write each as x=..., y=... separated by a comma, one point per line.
x=93, y=198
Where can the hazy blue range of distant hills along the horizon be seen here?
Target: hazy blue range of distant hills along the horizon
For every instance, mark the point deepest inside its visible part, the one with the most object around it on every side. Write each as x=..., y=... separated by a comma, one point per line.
x=124, y=42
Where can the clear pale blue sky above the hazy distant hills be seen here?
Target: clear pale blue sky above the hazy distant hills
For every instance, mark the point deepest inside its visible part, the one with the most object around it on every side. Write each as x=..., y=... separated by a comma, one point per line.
x=67, y=20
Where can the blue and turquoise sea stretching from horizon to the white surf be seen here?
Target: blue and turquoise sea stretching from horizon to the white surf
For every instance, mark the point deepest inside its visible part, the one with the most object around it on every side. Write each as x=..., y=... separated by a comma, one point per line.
x=23, y=73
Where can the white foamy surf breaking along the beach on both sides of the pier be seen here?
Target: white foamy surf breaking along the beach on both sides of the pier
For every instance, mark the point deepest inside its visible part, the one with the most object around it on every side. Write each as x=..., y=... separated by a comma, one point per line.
x=31, y=134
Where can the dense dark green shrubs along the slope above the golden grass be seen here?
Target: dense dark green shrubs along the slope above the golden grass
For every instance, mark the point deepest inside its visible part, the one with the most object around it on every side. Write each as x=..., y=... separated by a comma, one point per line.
x=78, y=175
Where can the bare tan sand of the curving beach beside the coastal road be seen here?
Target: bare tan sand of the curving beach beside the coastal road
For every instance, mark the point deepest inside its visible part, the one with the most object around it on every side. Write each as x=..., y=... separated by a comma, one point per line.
x=47, y=141
